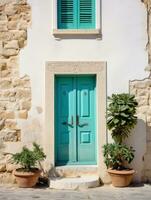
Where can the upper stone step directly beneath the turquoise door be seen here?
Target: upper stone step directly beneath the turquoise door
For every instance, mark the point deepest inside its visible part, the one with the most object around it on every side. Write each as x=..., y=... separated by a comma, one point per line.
x=76, y=171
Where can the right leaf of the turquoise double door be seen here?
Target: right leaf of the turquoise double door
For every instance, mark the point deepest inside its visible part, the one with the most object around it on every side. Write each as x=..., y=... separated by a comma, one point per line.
x=86, y=113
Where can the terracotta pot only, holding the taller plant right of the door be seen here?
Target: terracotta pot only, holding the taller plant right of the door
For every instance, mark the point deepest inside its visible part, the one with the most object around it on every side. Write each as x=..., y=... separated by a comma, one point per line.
x=121, y=178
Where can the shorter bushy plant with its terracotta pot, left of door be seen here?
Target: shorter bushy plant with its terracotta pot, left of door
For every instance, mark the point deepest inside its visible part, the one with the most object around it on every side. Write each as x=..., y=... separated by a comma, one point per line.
x=27, y=175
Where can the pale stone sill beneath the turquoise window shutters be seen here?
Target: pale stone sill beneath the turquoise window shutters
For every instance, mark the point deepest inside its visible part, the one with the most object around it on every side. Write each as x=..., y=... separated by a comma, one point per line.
x=60, y=32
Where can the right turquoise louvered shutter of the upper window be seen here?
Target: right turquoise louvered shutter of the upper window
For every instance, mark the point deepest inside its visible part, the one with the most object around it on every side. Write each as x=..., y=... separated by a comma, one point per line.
x=86, y=16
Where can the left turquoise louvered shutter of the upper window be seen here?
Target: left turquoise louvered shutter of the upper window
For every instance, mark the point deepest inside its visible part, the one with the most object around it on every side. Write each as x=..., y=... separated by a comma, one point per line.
x=67, y=14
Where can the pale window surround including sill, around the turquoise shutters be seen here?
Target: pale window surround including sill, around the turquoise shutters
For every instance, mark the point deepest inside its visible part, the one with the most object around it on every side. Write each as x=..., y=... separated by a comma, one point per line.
x=96, y=30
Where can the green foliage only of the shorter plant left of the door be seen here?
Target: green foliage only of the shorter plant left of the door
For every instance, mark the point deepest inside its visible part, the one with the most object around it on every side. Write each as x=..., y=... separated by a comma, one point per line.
x=28, y=159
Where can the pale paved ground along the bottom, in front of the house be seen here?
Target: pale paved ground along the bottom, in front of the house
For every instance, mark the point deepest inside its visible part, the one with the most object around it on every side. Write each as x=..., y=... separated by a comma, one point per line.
x=138, y=192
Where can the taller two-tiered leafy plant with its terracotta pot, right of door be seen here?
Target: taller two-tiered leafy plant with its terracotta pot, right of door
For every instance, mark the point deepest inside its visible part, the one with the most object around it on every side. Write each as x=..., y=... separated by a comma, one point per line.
x=121, y=119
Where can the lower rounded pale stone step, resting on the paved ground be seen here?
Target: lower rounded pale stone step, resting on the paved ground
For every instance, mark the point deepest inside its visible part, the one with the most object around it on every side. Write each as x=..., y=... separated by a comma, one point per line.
x=74, y=183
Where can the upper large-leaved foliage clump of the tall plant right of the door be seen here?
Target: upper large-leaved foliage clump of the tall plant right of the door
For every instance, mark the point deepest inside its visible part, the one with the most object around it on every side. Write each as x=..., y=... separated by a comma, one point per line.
x=121, y=115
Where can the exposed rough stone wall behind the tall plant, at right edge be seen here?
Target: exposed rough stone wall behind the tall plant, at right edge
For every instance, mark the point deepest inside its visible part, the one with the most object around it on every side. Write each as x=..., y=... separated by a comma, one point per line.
x=142, y=90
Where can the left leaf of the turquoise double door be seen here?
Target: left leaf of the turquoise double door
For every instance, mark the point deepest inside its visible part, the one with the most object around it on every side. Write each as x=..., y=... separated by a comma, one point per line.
x=65, y=109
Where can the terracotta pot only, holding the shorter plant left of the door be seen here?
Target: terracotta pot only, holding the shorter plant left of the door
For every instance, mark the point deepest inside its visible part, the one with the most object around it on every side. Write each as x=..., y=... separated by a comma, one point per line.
x=27, y=179
